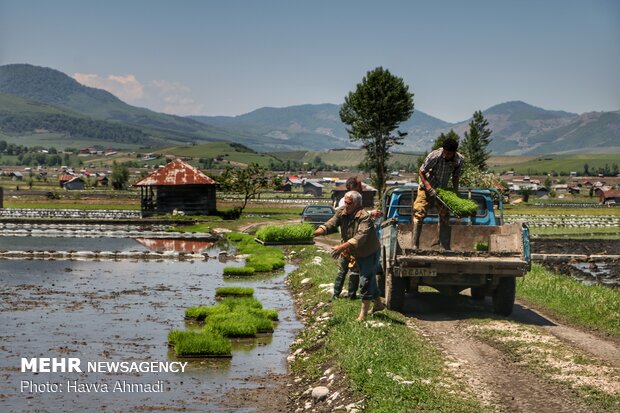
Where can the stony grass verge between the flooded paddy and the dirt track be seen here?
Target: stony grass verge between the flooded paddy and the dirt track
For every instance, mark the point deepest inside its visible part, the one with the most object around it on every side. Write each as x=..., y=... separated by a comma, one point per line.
x=393, y=367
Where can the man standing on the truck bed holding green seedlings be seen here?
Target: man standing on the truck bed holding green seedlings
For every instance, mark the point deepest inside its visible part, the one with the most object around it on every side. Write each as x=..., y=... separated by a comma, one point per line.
x=438, y=167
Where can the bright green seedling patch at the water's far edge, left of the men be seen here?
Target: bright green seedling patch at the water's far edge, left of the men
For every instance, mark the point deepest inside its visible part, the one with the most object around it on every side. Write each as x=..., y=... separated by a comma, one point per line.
x=261, y=258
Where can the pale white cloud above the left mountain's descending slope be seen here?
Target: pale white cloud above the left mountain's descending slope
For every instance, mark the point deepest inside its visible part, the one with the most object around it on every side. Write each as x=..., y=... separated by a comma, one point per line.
x=159, y=95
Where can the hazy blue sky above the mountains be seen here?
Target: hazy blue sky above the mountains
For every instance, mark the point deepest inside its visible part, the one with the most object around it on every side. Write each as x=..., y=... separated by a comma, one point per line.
x=231, y=57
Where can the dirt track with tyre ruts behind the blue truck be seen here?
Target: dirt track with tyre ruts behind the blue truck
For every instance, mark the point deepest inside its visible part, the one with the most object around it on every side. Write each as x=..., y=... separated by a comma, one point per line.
x=525, y=363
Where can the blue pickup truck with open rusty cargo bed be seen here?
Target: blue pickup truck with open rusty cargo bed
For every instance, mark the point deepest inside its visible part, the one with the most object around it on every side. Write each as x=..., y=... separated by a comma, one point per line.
x=483, y=254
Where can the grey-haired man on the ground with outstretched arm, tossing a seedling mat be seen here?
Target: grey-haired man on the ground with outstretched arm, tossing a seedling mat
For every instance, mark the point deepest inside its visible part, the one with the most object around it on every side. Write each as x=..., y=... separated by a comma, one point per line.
x=360, y=240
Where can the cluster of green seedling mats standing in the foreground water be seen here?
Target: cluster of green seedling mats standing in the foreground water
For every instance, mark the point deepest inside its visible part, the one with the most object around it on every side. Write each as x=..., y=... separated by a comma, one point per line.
x=237, y=315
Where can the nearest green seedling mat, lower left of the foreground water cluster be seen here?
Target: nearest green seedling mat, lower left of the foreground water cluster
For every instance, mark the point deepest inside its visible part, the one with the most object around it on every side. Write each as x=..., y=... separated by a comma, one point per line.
x=203, y=343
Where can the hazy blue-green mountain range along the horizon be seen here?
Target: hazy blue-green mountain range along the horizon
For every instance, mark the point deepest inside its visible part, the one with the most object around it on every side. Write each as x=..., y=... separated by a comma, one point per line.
x=33, y=95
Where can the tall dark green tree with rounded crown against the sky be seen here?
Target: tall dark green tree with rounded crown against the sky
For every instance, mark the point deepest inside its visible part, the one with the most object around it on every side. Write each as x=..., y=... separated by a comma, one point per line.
x=377, y=107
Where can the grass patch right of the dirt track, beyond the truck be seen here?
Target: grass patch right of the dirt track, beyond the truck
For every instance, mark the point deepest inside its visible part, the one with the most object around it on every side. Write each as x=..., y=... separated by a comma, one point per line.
x=590, y=306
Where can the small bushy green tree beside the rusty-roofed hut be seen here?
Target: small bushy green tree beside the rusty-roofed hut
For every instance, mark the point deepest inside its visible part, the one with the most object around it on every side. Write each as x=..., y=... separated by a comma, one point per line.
x=249, y=181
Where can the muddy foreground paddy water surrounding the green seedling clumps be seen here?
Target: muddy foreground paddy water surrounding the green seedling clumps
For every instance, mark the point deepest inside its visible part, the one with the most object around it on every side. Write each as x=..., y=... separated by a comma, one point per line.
x=123, y=311
